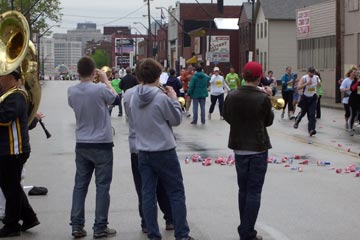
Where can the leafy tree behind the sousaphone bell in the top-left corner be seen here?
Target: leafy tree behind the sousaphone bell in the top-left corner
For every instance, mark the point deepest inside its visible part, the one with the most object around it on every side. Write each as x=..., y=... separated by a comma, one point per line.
x=38, y=12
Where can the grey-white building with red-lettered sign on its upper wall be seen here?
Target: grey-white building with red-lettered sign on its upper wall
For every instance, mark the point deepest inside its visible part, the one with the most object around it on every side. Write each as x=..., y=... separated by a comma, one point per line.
x=316, y=37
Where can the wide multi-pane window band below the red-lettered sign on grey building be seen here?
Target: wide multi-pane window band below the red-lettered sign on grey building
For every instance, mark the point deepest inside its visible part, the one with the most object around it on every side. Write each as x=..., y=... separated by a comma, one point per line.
x=318, y=52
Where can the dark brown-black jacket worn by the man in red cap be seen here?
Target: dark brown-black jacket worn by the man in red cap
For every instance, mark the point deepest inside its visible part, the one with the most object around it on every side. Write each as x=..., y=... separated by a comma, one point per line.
x=248, y=111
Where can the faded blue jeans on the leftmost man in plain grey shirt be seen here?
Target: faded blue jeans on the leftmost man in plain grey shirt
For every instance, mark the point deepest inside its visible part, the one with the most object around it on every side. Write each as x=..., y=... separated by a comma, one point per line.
x=87, y=161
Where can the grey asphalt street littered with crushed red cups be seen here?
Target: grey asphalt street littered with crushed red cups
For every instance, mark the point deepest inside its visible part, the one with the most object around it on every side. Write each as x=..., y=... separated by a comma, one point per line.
x=314, y=204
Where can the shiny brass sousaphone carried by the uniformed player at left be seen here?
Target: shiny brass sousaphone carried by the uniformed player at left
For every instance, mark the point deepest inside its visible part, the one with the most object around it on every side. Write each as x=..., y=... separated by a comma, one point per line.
x=16, y=50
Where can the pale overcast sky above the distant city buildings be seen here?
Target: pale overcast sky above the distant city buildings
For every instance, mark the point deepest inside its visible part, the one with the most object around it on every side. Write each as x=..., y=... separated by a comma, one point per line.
x=116, y=12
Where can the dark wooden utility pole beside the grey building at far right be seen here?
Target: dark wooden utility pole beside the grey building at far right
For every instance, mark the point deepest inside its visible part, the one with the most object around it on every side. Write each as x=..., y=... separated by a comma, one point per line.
x=339, y=23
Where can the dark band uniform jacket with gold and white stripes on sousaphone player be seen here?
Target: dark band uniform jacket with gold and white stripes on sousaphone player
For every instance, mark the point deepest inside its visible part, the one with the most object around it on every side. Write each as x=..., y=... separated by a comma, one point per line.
x=14, y=135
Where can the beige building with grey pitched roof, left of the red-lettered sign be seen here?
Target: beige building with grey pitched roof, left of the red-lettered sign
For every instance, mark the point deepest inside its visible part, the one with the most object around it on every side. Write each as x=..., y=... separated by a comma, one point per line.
x=275, y=39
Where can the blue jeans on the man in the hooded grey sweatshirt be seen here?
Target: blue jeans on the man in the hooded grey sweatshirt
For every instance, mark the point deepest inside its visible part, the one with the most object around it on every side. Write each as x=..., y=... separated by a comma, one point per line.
x=163, y=165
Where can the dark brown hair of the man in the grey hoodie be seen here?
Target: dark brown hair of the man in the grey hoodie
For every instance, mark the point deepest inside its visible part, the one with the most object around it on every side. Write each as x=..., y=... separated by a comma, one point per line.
x=148, y=70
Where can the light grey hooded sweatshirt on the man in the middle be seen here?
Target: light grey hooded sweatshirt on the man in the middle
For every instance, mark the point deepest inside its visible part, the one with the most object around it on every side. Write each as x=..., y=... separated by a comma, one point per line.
x=153, y=115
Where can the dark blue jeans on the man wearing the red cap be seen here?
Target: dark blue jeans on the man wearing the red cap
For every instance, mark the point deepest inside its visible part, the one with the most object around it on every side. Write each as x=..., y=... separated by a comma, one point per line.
x=251, y=170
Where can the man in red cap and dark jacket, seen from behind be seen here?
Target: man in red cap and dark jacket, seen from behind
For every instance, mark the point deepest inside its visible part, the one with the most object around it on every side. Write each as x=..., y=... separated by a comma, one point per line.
x=248, y=110
